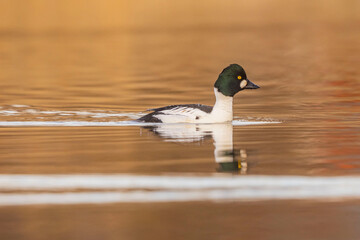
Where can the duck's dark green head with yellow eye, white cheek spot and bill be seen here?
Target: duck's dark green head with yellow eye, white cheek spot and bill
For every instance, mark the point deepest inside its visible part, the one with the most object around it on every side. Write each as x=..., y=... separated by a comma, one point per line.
x=232, y=80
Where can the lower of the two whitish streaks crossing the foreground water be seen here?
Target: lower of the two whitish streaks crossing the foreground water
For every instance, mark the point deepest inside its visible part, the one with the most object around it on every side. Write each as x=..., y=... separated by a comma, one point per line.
x=175, y=196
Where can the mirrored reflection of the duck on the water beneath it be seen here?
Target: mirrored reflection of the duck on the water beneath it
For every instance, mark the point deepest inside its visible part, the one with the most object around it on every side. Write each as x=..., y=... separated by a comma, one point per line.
x=228, y=158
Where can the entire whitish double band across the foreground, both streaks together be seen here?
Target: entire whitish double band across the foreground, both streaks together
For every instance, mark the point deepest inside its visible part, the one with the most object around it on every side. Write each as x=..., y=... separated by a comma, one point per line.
x=131, y=188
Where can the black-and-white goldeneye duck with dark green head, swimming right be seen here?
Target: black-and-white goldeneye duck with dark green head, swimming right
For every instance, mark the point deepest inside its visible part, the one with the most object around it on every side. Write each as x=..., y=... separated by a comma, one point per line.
x=231, y=80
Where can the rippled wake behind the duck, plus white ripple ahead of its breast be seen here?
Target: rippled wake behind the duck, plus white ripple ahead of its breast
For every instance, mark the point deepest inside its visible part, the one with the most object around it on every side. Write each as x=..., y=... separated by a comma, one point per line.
x=23, y=115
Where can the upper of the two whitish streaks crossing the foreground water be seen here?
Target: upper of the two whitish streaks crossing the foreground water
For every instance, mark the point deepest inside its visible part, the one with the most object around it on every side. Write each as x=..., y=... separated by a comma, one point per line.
x=51, y=182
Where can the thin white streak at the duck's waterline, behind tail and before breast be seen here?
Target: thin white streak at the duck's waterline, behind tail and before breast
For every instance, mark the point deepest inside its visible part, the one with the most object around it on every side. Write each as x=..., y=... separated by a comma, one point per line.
x=99, y=124
